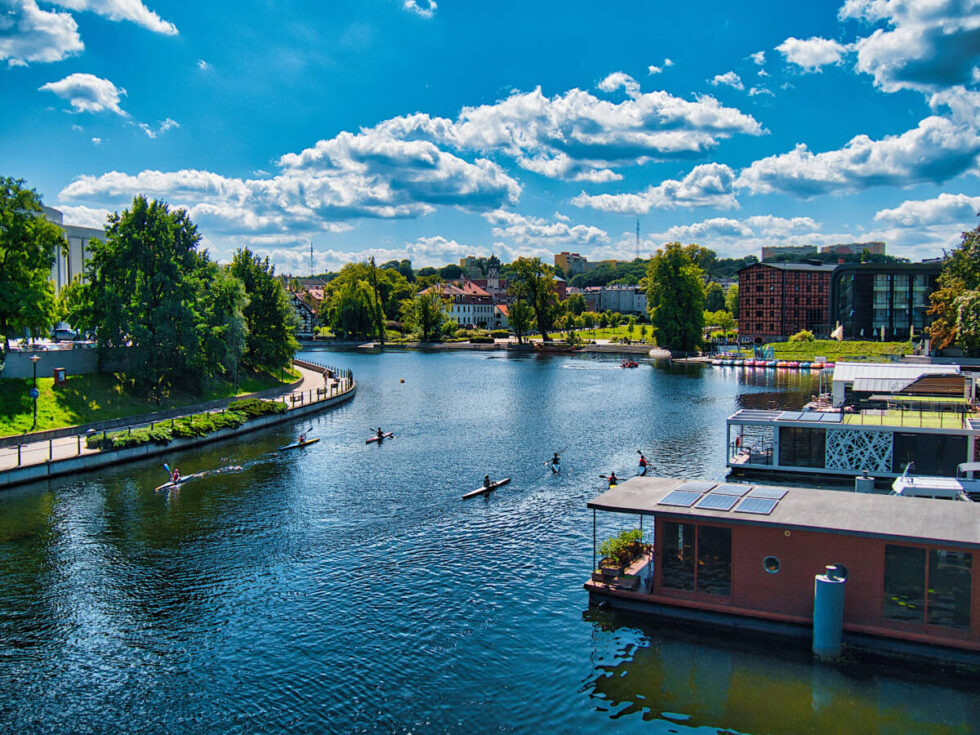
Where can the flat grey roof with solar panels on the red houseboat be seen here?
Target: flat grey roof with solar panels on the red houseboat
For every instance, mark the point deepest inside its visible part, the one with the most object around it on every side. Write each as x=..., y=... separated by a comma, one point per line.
x=916, y=520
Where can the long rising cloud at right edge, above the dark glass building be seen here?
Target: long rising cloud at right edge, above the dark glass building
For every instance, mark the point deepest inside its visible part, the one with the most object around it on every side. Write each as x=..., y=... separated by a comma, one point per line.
x=934, y=151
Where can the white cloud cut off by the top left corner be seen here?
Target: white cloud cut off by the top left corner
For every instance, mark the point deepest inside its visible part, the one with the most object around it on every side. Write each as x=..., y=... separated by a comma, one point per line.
x=28, y=33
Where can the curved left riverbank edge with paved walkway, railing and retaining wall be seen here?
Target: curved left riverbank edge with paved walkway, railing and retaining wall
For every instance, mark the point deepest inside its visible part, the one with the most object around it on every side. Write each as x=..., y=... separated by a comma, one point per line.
x=318, y=389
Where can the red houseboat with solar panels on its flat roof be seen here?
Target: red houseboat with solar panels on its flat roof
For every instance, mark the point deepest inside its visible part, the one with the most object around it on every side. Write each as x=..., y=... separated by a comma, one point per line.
x=743, y=557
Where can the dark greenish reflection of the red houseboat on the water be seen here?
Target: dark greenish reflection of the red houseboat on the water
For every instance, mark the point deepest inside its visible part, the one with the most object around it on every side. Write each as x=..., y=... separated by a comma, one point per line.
x=738, y=682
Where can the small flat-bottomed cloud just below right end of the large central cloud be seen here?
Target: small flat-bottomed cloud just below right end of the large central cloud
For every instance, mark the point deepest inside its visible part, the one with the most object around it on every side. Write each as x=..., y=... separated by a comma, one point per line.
x=710, y=184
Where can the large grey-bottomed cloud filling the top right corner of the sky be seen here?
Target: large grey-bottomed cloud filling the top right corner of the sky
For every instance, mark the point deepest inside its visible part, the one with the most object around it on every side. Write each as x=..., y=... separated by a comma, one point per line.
x=926, y=44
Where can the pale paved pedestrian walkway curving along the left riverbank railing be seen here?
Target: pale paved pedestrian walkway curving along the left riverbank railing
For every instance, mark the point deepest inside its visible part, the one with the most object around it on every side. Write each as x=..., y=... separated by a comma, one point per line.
x=315, y=386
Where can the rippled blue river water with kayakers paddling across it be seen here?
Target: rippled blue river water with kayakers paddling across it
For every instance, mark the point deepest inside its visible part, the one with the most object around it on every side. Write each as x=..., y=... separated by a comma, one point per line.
x=348, y=588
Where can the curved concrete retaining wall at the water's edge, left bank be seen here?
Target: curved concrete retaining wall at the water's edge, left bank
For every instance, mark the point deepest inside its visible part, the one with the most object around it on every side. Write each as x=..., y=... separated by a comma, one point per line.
x=88, y=462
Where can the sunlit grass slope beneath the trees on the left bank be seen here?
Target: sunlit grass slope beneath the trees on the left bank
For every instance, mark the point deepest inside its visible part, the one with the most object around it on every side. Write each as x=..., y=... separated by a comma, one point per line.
x=88, y=398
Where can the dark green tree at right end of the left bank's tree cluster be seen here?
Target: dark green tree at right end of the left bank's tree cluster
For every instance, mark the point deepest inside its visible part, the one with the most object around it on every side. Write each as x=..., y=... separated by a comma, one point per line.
x=269, y=317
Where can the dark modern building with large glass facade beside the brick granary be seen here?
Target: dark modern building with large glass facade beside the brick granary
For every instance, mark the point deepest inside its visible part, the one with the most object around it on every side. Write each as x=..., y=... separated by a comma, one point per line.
x=868, y=297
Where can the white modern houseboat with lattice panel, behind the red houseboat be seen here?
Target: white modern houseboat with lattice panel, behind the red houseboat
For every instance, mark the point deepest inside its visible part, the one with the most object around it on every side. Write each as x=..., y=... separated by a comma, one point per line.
x=872, y=418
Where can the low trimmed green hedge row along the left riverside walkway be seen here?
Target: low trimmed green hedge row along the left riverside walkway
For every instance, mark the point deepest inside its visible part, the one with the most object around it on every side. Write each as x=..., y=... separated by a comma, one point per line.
x=188, y=427
